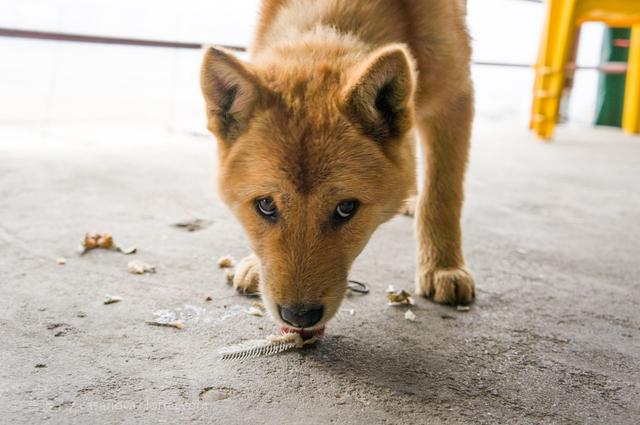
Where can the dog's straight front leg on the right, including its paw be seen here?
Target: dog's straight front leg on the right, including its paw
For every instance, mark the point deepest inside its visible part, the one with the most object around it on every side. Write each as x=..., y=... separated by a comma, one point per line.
x=441, y=274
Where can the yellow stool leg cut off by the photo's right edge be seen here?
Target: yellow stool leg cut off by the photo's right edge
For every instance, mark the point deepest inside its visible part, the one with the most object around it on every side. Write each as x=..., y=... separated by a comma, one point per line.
x=631, y=110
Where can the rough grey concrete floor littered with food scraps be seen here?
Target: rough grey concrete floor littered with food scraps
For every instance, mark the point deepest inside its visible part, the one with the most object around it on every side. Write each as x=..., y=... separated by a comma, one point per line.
x=552, y=233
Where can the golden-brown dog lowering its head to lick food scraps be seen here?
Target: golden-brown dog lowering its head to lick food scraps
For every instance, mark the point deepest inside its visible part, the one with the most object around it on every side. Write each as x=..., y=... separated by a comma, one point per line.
x=316, y=144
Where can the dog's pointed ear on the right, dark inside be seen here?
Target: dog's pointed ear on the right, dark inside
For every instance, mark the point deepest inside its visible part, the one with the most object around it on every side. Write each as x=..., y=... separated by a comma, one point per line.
x=379, y=93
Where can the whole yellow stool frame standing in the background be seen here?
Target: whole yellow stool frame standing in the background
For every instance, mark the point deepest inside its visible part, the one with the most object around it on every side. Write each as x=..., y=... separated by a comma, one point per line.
x=563, y=19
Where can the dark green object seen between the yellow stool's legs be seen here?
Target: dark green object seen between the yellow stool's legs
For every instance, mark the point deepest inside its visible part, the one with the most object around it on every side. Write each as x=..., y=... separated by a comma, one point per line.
x=611, y=86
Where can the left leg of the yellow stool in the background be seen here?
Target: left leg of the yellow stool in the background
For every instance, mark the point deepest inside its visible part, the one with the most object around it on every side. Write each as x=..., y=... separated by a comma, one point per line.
x=552, y=62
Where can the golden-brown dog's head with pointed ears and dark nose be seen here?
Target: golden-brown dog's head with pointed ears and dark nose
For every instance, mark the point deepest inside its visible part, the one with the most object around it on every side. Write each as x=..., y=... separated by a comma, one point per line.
x=312, y=160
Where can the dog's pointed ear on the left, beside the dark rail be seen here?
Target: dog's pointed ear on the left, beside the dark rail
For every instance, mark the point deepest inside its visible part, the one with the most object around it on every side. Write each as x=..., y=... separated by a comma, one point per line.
x=230, y=91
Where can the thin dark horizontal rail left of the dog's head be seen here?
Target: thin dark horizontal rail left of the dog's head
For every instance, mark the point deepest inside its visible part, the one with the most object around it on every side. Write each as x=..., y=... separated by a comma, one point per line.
x=55, y=36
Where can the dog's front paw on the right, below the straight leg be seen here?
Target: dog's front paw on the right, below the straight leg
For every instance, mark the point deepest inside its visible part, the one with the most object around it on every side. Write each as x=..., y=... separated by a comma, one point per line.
x=446, y=286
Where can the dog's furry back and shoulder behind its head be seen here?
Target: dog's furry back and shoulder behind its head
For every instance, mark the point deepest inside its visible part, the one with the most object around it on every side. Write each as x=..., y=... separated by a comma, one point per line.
x=434, y=31
